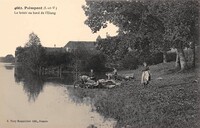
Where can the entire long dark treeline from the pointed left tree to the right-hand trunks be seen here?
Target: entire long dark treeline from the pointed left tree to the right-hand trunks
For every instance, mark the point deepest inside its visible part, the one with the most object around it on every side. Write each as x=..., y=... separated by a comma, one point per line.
x=34, y=57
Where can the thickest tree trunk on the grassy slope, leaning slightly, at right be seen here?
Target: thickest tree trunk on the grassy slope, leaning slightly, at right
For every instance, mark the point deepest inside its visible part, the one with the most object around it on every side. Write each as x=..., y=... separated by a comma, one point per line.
x=181, y=55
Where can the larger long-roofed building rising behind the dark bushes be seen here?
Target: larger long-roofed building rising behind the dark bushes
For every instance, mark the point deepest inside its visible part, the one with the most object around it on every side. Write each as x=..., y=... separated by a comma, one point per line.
x=80, y=45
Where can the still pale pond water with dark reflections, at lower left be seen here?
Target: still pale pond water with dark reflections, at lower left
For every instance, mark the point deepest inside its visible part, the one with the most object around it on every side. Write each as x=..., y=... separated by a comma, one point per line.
x=28, y=101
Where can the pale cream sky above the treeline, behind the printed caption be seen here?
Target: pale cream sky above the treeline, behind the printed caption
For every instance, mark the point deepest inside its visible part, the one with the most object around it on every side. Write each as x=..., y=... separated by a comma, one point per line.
x=66, y=25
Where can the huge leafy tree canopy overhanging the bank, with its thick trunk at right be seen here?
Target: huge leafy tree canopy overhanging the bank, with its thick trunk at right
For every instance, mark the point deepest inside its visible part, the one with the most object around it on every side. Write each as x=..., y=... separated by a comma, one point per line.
x=148, y=26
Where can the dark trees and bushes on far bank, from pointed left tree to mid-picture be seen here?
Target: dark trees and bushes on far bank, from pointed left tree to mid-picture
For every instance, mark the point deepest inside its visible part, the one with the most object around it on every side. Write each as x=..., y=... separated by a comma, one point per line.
x=34, y=57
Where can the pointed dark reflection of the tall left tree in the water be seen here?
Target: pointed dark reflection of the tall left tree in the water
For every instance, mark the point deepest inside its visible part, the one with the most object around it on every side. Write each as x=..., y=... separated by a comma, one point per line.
x=32, y=84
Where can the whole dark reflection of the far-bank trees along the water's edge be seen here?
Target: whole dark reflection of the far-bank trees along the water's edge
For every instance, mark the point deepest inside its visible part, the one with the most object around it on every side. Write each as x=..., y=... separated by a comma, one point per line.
x=33, y=84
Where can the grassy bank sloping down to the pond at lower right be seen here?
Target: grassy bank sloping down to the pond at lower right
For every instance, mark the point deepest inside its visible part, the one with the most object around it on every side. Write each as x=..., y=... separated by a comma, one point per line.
x=170, y=102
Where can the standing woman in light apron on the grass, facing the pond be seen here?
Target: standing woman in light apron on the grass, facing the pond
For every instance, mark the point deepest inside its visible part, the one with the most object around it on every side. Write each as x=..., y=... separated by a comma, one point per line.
x=146, y=77
